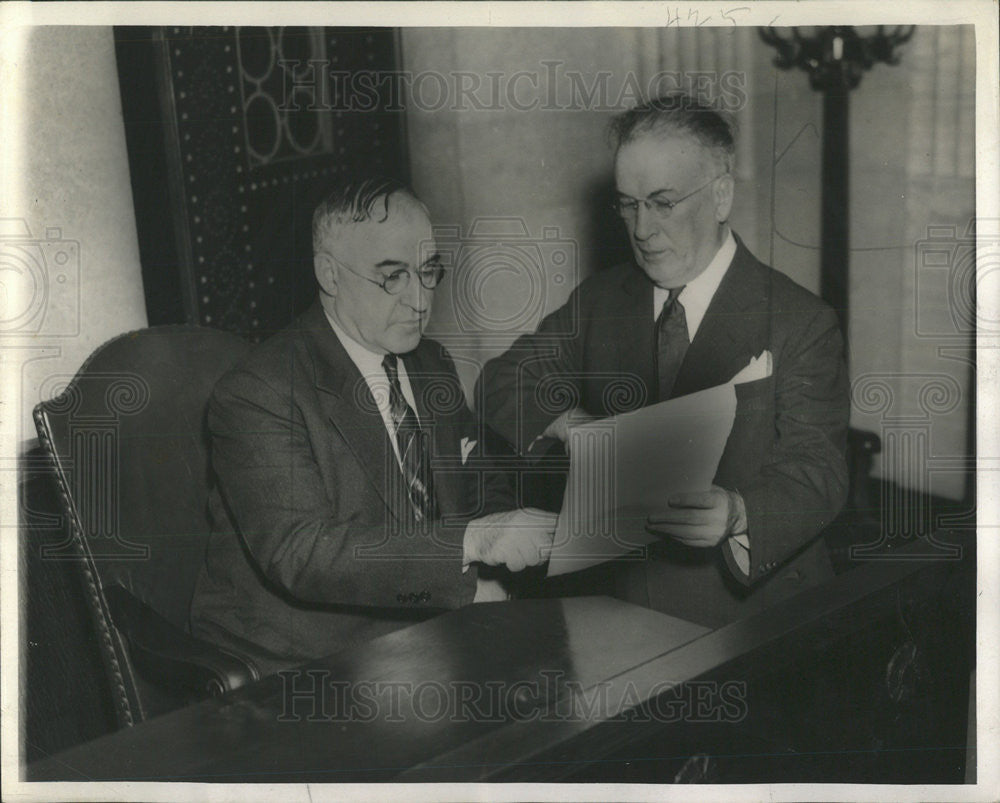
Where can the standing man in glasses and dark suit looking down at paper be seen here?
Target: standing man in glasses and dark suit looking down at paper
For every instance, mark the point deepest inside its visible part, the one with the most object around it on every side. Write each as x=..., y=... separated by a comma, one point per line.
x=692, y=311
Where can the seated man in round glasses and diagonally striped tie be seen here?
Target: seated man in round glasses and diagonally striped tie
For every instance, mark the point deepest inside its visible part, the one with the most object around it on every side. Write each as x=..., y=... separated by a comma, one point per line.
x=350, y=498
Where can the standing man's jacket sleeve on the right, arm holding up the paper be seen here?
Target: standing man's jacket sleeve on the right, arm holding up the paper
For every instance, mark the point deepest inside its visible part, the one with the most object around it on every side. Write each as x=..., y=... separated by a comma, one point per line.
x=803, y=482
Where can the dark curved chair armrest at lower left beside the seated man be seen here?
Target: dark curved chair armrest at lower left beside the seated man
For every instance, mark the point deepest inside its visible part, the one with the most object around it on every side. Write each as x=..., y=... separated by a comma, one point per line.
x=166, y=655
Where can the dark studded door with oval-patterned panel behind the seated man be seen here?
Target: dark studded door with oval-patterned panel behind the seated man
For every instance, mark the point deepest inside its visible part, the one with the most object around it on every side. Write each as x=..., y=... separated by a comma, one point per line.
x=234, y=135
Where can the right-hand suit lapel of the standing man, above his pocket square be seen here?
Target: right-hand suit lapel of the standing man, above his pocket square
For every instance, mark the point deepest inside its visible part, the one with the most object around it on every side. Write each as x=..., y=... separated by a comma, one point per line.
x=734, y=329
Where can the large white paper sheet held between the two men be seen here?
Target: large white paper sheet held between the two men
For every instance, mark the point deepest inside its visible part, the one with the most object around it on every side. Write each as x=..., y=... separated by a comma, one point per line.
x=624, y=467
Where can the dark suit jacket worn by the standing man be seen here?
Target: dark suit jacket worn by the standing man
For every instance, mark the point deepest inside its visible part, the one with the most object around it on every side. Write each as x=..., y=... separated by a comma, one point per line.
x=785, y=454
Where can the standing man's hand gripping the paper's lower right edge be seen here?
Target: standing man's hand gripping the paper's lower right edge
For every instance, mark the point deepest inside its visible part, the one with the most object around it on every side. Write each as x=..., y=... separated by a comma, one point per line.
x=700, y=519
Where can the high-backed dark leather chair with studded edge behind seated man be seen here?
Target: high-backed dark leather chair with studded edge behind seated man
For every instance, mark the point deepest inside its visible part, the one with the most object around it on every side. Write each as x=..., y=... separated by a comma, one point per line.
x=127, y=442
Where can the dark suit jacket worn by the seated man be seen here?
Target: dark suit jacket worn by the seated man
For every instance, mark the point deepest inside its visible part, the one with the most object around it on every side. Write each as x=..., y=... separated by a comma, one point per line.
x=315, y=546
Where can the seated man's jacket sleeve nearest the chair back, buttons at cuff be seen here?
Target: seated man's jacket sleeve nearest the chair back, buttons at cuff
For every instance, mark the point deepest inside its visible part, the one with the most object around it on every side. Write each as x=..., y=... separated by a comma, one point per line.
x=301, y=540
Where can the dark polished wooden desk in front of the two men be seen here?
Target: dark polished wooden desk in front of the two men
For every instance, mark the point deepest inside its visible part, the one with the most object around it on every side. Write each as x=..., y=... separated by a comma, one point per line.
x=485, y=693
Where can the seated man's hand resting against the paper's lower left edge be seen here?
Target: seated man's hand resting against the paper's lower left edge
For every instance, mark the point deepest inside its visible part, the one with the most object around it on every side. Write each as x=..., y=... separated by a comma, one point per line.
x=514, y=538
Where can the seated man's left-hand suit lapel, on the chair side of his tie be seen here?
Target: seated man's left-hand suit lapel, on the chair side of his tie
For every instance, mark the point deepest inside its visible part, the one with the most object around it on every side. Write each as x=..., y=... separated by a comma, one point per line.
x=351, y=409
